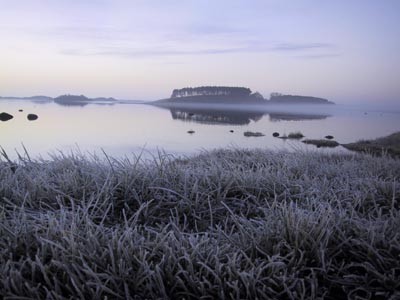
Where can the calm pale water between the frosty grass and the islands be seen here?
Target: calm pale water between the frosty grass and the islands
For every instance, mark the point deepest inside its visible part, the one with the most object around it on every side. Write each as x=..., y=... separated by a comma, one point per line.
x=123, y=129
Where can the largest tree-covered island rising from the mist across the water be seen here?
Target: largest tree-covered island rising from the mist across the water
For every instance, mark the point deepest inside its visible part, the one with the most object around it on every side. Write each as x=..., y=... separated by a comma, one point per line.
x=215, y=95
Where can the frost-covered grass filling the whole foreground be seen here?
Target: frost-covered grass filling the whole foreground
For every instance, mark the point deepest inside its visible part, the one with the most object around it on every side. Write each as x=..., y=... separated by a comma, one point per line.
x=228, y=224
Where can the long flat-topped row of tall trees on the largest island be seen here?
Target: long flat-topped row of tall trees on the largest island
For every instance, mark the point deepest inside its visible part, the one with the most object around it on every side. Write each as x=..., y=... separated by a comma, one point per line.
x=211, y=91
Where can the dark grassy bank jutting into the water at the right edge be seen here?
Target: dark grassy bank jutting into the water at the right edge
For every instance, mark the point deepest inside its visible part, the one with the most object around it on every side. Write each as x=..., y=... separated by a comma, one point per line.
x=389, y=144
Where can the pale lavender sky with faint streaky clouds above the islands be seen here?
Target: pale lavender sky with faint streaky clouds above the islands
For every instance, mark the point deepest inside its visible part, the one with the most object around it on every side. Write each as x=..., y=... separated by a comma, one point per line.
x=346, y=51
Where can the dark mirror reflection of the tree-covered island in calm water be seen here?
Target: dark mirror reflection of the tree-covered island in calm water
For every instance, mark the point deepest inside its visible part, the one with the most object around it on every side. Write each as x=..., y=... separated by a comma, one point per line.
x=235, y=117
